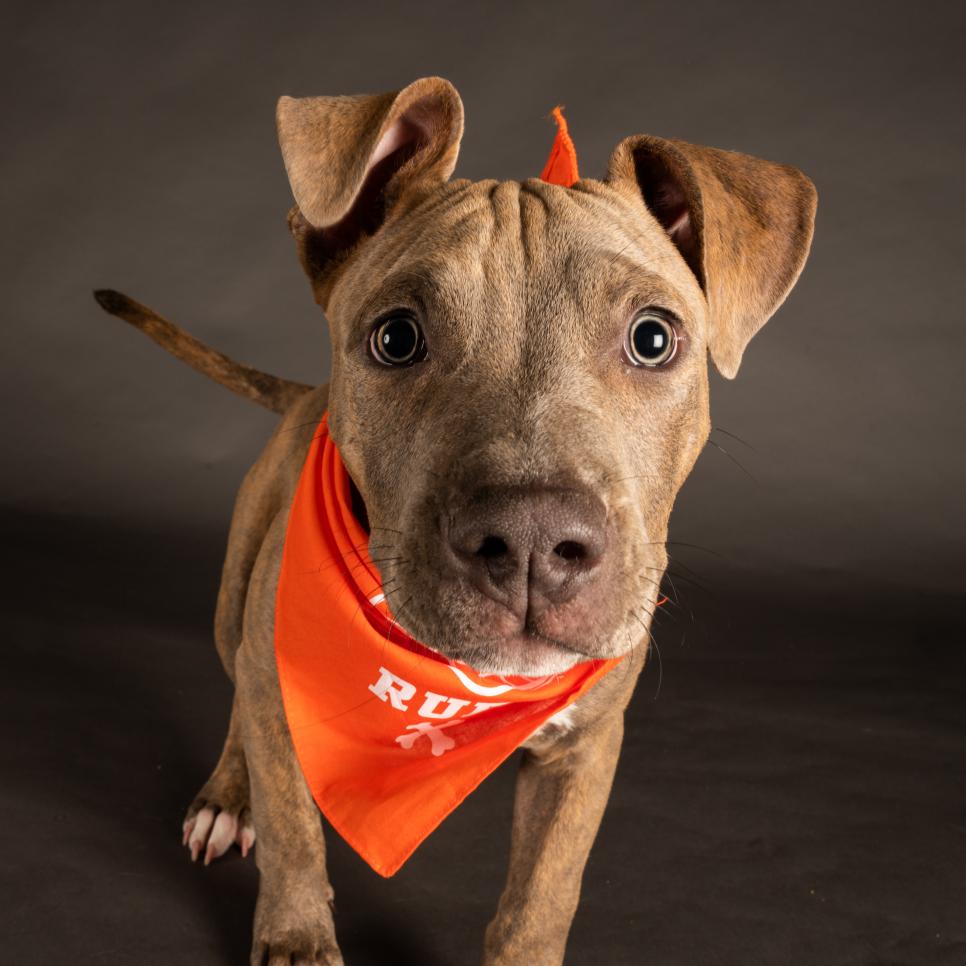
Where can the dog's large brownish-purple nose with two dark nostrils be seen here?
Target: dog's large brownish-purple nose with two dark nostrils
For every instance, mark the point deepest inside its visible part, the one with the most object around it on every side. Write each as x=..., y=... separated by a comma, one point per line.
x=528, y=548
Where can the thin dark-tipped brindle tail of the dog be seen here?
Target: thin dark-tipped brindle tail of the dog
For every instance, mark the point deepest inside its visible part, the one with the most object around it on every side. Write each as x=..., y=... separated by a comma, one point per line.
x=267, y=390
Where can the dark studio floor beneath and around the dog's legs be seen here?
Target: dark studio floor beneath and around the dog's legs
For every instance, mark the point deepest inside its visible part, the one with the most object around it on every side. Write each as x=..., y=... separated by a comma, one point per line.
x=791, y=790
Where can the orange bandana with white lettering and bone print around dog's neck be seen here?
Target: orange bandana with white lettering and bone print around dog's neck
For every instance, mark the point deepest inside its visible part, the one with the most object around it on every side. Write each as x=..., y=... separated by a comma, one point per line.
x=390, y=735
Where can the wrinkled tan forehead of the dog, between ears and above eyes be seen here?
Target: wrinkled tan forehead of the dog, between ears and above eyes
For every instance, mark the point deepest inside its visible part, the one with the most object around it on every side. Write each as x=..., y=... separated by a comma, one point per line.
x=521, y=247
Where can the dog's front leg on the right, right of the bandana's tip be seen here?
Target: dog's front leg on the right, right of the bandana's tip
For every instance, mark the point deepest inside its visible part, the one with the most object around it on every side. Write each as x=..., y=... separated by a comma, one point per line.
x=560, y=797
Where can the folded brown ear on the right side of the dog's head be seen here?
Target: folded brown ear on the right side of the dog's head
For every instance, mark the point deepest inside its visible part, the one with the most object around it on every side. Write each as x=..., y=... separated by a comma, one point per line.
x=743, y=226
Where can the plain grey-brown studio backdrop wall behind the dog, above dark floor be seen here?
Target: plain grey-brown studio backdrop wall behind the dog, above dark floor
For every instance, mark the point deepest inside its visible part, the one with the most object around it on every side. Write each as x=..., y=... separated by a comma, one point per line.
x=140, y=154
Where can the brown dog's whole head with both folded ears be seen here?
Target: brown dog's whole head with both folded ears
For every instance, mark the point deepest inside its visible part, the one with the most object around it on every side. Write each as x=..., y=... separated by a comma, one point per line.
x=519, y=379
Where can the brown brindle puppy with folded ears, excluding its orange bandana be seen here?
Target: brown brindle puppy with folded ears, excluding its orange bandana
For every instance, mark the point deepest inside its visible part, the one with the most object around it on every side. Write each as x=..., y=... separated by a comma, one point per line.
x=547, y=400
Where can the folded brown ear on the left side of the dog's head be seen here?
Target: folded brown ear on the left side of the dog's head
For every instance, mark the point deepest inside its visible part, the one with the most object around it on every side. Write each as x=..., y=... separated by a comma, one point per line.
x=350, y=159
